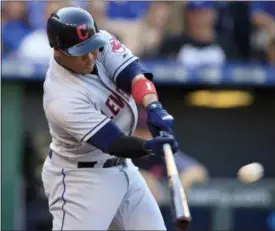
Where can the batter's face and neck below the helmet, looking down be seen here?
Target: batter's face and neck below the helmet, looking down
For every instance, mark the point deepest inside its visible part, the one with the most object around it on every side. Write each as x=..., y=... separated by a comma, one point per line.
x=81, y=64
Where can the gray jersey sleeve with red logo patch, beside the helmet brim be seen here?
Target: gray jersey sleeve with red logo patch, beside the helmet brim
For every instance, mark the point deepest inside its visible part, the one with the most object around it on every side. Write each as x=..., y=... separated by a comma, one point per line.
x=116, y=56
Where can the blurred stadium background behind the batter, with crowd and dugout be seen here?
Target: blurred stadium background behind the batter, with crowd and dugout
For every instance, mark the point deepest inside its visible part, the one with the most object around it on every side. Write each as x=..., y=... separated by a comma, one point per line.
x=214, y=66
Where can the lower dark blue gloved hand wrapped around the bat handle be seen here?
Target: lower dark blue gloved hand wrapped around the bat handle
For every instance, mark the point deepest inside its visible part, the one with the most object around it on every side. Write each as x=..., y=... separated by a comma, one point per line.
x=156, y=144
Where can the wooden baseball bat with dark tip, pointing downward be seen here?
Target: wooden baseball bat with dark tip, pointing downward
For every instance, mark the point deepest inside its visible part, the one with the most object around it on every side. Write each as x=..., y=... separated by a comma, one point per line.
x=180, y=208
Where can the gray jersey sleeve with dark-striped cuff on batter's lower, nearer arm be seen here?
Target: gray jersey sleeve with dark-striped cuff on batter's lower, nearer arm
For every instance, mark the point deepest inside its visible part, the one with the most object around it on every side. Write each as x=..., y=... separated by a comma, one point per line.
x=78, y=118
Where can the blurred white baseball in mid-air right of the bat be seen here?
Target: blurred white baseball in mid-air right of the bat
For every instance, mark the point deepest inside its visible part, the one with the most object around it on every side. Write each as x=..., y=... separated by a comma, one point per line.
x=251, y=173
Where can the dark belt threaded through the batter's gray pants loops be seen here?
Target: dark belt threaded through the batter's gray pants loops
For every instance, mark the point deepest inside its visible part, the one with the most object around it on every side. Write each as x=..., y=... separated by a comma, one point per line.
x=117, y=161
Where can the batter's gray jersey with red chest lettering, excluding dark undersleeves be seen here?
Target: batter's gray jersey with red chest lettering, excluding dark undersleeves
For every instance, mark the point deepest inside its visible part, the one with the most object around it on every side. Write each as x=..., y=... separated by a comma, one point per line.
x=77, y=106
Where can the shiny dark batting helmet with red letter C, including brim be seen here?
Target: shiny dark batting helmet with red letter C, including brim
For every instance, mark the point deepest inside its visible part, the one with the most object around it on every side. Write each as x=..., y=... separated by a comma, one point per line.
x=73, y=31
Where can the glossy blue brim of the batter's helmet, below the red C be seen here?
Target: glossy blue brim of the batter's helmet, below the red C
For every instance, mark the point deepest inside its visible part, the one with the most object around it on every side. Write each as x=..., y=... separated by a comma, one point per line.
x=95, y=42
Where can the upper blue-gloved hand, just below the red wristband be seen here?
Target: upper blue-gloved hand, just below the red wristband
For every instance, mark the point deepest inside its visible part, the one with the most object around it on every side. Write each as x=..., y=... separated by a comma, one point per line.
x=159, y=119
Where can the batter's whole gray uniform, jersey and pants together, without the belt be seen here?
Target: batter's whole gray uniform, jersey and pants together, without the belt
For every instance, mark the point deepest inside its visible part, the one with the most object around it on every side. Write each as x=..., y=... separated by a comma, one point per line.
x=77, y=106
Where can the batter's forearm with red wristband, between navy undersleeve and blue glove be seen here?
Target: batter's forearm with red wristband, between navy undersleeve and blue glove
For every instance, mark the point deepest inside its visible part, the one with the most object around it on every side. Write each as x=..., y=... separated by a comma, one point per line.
x=143, y=91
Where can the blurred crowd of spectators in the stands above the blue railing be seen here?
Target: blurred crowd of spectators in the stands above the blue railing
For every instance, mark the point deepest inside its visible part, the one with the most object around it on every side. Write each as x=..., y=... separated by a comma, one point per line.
x=192, y=32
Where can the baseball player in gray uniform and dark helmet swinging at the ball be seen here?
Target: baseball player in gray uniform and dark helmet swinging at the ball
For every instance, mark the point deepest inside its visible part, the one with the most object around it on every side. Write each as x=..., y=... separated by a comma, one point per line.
x=91, y=90
